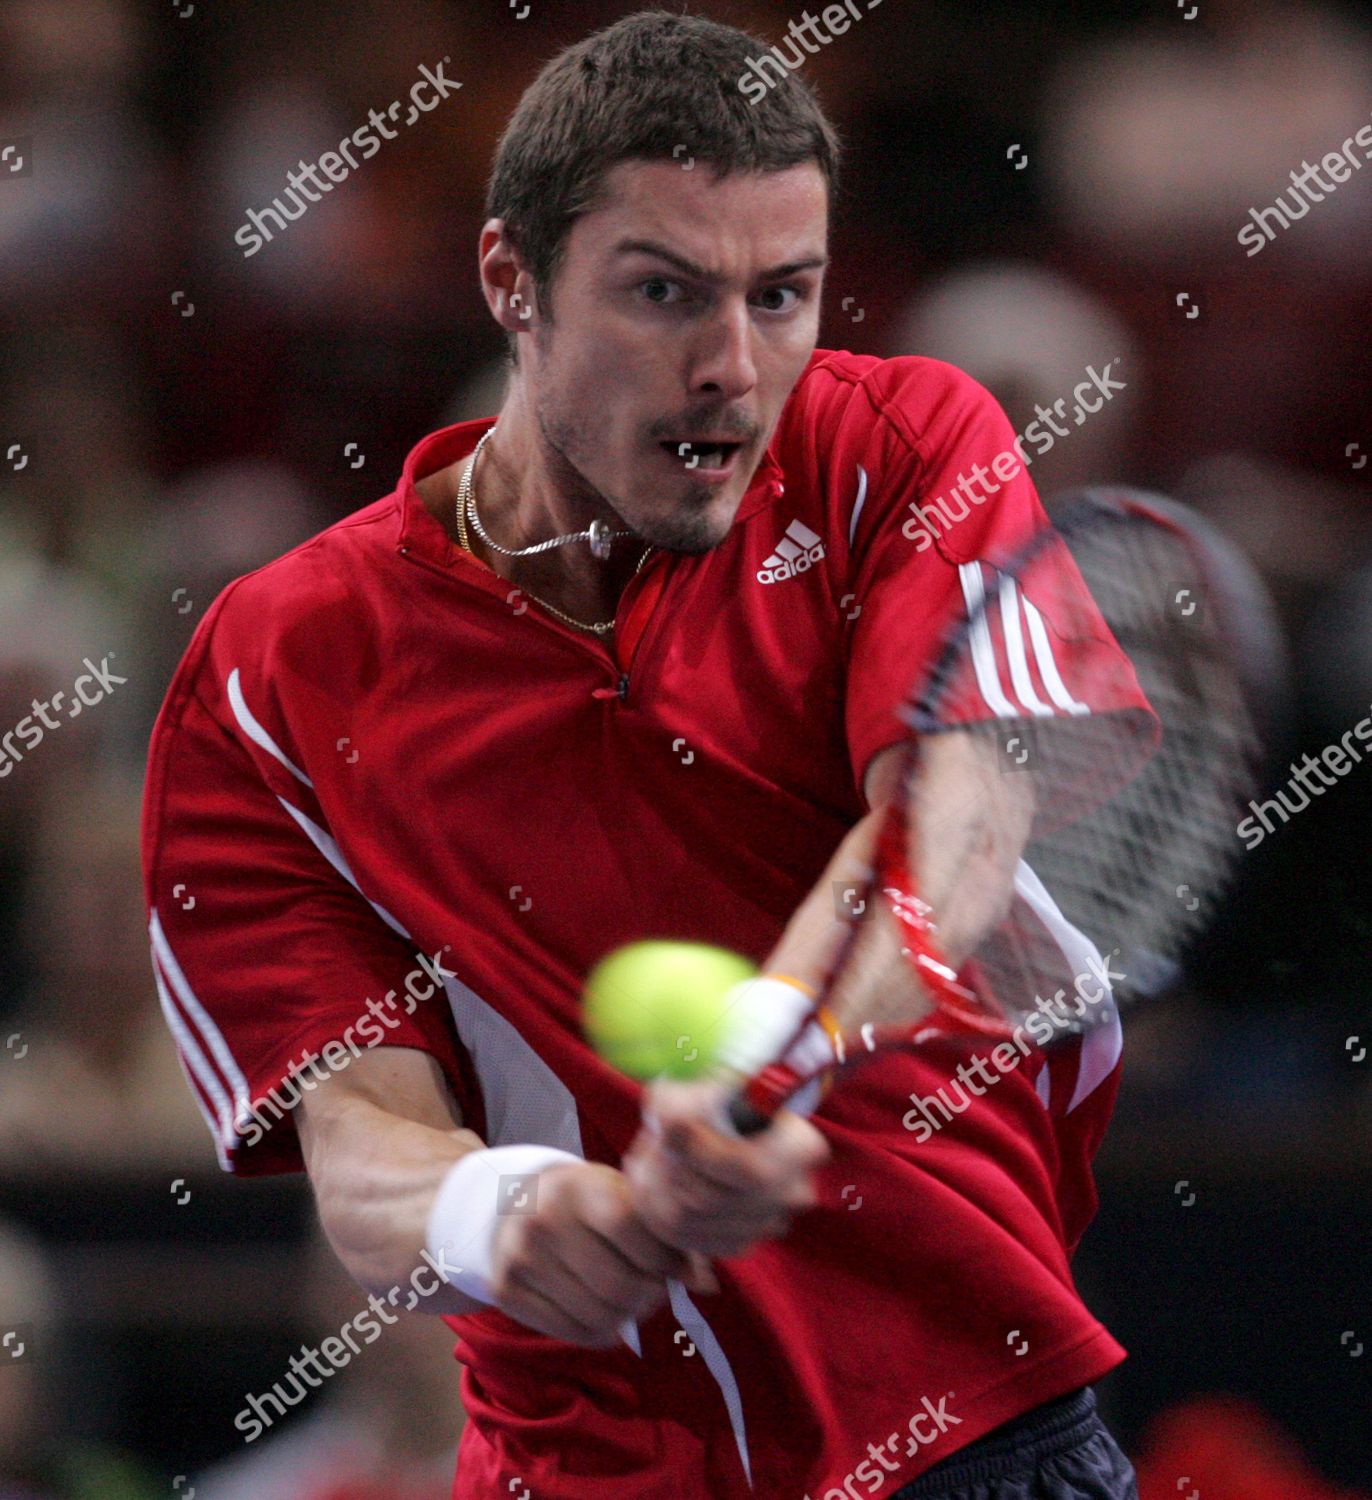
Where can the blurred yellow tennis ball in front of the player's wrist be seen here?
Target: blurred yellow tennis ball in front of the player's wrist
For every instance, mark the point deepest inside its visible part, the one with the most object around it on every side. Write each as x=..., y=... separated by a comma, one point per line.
x=659, y=1007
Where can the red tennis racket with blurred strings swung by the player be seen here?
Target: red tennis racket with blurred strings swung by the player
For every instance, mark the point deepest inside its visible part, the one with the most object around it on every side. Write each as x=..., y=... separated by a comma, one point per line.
x=1128, y=767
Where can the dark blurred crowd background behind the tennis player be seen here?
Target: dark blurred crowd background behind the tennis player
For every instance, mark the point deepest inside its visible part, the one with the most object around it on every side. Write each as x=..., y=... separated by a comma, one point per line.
x=173, y=415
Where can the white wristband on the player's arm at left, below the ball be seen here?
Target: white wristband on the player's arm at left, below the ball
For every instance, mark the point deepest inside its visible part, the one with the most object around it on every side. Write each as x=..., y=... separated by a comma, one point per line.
x=478, y=1193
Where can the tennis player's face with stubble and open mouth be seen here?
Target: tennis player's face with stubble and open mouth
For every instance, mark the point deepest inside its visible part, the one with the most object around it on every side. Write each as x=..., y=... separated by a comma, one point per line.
x=685, y=310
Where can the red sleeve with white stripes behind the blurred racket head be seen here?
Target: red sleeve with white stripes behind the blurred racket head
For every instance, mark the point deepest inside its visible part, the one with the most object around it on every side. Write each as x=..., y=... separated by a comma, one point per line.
x=947, y=496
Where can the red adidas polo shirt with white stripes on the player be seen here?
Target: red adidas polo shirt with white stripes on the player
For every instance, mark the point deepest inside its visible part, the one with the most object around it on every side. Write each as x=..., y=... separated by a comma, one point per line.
x=377, y=749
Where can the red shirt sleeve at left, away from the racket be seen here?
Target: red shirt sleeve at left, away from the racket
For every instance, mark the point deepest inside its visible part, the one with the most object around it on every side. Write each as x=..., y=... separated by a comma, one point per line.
x=272, y=970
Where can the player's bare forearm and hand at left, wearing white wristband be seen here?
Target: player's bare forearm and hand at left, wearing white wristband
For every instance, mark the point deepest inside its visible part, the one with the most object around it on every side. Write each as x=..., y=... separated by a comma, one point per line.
x=400, y=1183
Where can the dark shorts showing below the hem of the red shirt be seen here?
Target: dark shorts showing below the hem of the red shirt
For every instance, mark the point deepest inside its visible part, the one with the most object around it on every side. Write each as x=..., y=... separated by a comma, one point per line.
x=1059, y=1451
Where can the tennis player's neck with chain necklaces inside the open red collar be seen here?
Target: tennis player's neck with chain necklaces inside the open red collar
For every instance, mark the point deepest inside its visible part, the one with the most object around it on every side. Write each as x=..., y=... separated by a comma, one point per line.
x=526, y=494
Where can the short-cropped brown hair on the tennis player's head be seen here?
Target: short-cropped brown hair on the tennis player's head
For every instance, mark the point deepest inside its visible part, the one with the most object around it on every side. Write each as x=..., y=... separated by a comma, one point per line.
x=655, y=86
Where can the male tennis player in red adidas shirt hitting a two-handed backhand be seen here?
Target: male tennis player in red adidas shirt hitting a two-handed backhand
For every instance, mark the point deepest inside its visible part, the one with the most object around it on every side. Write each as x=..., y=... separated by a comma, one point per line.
x=619, y=664
